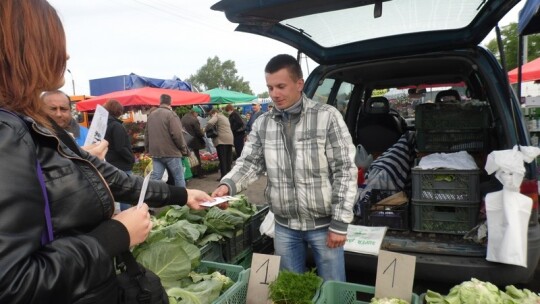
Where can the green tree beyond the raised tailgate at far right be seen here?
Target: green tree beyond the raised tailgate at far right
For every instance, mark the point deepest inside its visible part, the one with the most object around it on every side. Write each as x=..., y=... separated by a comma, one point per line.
x=509, y=37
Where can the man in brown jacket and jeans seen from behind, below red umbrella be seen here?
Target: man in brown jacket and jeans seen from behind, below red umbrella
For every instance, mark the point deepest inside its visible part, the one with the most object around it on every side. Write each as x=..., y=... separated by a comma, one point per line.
x=164, y=141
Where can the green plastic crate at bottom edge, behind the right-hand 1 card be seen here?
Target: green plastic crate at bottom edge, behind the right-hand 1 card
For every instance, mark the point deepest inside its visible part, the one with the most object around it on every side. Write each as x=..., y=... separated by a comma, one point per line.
x=333, y=292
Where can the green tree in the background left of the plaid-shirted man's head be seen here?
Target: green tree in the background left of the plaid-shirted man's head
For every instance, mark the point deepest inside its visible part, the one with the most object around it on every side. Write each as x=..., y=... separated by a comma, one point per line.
x=217, y=74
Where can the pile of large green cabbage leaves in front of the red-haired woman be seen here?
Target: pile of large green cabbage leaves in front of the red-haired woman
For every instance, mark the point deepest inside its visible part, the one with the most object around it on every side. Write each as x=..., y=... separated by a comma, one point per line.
x=172, y=249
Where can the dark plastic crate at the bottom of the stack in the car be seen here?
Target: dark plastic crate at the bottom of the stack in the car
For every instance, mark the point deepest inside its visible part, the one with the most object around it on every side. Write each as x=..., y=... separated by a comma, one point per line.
x=444, y=217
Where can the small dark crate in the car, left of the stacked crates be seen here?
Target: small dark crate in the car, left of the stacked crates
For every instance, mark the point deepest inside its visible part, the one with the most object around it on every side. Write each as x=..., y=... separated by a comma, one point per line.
x=379, y=214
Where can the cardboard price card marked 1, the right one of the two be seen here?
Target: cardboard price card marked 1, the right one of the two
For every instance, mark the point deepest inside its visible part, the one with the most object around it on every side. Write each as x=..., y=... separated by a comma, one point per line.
x=395, y=275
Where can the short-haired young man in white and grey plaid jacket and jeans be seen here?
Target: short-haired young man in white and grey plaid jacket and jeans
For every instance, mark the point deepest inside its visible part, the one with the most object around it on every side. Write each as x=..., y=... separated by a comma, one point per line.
x=308, y=154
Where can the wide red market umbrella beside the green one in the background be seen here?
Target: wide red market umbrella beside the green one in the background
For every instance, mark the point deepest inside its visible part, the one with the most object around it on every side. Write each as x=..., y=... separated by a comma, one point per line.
x=145, y=97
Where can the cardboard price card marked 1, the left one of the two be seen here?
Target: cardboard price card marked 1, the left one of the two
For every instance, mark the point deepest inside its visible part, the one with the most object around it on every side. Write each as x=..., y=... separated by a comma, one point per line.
x=264, y=270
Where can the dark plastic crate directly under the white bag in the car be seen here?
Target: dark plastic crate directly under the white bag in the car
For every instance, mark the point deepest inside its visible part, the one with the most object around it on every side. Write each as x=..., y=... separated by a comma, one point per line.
x=445, y=185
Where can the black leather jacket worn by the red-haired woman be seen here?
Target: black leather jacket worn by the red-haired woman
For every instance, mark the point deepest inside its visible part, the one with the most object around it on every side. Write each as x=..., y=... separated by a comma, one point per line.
x=77, y=266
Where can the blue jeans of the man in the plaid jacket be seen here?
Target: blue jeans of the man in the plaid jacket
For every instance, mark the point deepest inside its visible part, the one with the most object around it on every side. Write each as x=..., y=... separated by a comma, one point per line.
x=292, y=246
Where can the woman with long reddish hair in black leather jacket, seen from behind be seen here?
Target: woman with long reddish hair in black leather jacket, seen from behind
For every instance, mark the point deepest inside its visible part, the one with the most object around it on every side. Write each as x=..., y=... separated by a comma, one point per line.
x=58, y=236
